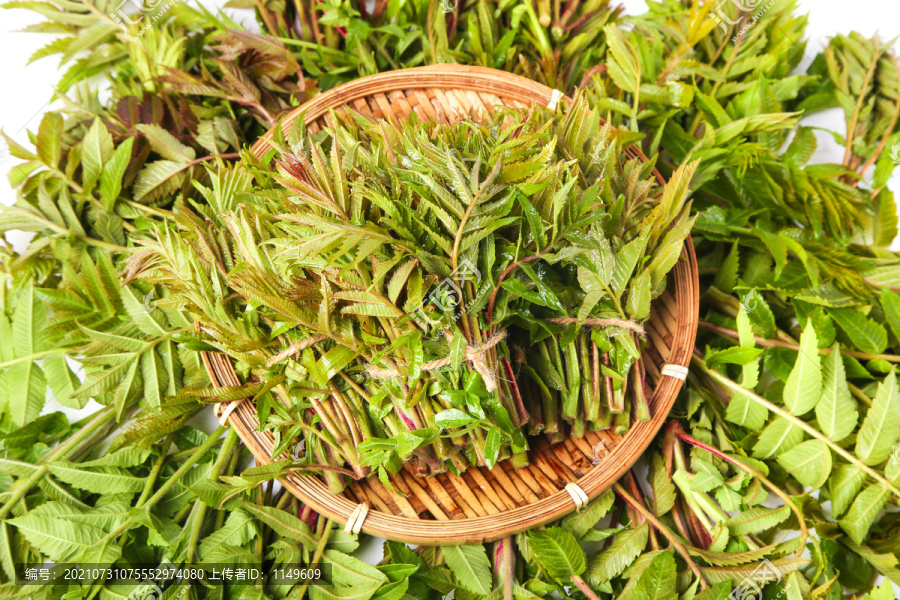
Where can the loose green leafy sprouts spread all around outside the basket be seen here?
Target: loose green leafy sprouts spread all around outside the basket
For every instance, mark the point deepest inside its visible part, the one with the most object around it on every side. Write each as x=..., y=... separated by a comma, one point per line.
x=767, y=475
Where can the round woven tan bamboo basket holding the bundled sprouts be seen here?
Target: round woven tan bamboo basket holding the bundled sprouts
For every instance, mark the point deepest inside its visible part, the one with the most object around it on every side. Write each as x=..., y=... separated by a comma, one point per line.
x=480, y=505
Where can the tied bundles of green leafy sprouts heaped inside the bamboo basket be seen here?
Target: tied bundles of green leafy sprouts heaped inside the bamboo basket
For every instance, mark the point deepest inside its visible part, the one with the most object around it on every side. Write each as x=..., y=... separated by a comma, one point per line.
x=431, y=294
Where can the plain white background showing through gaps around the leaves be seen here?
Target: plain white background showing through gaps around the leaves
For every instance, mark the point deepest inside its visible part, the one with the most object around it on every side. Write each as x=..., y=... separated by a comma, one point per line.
x=29, y=88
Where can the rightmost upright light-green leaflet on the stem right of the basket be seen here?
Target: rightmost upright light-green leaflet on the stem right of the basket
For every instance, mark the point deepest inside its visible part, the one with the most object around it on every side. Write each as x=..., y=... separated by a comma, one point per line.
x=881, y=427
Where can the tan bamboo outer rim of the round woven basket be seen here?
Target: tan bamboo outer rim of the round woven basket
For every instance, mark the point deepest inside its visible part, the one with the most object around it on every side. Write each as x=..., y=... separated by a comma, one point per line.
x=313, y=492
